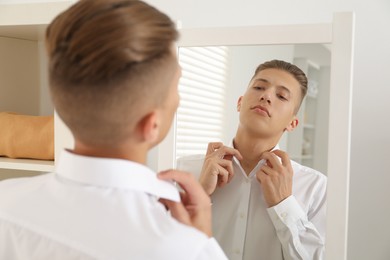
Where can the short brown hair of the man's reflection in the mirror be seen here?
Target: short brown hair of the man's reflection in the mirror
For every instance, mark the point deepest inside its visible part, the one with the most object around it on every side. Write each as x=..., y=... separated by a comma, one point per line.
x=292, y=69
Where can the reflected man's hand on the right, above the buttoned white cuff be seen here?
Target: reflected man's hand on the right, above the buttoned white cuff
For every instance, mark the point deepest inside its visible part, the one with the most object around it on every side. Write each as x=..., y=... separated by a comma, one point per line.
x=275, y=177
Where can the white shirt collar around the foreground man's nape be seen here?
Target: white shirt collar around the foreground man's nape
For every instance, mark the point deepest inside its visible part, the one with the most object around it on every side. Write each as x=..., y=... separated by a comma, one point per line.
x=114, y=173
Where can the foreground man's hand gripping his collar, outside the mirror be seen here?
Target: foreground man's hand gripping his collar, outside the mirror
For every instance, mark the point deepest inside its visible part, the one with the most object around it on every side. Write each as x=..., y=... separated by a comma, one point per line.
x=195, y=206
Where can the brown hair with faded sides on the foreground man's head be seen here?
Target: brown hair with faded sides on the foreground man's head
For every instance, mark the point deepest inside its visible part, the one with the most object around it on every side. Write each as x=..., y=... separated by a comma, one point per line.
x=109, y=61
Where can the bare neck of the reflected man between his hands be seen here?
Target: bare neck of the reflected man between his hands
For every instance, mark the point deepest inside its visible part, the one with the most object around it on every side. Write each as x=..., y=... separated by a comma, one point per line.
x=251, y=148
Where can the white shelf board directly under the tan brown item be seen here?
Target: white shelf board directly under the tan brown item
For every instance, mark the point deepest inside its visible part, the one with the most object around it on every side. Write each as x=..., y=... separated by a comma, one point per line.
x=26, y=164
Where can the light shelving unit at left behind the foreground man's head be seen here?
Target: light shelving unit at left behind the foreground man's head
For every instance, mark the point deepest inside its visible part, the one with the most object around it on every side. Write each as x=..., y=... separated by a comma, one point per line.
x=23, y=76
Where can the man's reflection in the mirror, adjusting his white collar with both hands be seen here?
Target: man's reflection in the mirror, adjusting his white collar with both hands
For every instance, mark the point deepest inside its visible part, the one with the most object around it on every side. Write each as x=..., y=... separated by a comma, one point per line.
x=265, y=206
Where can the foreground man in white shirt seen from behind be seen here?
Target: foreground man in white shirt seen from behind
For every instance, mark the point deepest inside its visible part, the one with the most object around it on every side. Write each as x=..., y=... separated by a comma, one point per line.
x=113, y=79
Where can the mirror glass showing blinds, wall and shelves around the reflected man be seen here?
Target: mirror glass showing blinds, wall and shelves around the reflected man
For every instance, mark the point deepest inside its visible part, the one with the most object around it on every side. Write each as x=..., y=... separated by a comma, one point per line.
x=213, y=77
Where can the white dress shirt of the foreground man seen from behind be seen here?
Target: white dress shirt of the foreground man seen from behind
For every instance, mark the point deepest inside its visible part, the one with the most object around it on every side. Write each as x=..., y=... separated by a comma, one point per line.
x=94, y=208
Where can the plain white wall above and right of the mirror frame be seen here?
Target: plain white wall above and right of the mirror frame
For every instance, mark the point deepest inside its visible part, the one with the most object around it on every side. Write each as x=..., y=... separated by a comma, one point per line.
x=369, y=235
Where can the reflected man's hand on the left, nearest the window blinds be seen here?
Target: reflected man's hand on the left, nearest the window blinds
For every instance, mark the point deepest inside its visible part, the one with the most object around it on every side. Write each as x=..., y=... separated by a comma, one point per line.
x=217, y=168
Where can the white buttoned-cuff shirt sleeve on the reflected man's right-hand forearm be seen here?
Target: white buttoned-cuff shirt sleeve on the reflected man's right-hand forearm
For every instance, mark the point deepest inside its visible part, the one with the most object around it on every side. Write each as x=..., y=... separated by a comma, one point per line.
x=299, y=237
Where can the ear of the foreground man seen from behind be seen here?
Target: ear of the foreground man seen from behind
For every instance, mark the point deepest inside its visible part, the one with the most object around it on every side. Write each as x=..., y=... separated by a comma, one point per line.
x=148, y=127
